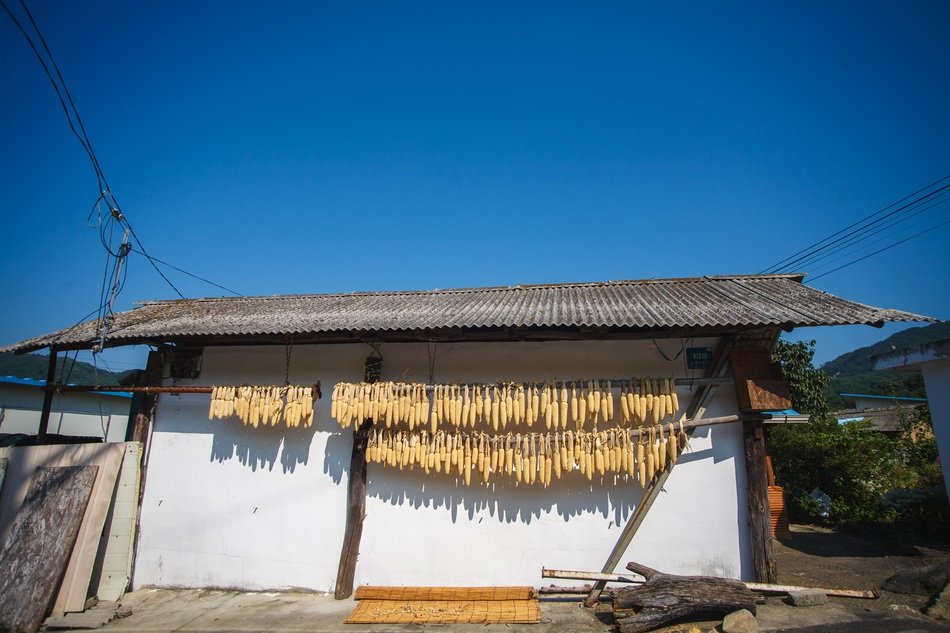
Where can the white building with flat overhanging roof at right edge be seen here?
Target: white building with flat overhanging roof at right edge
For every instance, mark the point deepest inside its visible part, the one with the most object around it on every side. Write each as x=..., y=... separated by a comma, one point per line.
x=933, y=360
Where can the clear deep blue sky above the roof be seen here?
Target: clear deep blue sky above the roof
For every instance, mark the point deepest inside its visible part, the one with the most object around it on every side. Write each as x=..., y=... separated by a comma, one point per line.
x=297, y=147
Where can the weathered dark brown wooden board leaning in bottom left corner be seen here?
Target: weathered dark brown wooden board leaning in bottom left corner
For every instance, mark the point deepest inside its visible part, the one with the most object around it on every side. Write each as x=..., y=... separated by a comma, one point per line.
x=41, y=538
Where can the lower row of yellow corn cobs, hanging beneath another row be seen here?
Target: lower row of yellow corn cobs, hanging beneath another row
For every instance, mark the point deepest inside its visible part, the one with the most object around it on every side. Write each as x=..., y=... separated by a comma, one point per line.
x=531, y=457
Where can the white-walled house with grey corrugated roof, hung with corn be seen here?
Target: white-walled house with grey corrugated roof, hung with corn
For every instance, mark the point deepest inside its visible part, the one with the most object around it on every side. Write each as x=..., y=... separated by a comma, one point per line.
x=228, y=505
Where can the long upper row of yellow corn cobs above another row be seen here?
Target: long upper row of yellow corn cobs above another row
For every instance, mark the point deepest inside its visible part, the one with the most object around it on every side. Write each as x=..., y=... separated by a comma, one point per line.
x=553, y=404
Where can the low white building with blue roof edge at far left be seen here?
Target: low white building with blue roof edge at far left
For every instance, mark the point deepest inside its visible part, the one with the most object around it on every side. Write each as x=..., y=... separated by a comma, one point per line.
x=103, y=415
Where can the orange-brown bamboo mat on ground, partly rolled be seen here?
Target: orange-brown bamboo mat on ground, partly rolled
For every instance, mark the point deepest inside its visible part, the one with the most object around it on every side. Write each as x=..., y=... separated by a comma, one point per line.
x=445, y=605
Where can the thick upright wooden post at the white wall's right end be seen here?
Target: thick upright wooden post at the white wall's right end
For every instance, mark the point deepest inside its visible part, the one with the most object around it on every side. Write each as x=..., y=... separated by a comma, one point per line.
x=760, y=528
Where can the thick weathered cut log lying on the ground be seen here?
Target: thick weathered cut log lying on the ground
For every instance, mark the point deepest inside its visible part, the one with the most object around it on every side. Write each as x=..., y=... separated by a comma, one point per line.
x=664, y=598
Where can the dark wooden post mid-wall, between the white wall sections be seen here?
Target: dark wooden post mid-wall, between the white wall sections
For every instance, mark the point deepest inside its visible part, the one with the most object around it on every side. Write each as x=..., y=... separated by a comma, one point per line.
x=355, y=497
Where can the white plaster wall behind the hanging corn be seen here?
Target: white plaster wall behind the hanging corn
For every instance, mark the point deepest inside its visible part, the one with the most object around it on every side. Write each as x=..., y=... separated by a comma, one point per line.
x=205, y=480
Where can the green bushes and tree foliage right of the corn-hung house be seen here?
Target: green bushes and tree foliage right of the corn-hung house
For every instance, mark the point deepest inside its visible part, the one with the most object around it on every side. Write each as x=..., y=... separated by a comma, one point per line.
x=872, y=479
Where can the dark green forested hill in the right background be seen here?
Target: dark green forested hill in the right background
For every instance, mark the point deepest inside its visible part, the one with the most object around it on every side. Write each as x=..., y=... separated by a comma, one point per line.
x=852, y=372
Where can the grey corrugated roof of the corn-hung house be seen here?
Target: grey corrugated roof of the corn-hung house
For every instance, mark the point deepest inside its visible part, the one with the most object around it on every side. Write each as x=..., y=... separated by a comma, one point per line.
x=696, y=304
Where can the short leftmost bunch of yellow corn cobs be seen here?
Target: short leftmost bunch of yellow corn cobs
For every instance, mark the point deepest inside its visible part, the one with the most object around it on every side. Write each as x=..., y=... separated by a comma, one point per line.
x=263, y=405
